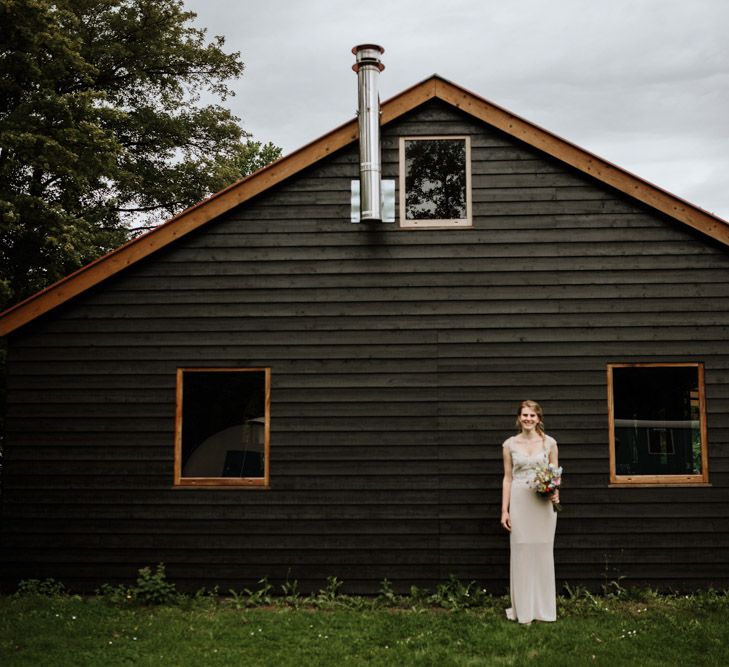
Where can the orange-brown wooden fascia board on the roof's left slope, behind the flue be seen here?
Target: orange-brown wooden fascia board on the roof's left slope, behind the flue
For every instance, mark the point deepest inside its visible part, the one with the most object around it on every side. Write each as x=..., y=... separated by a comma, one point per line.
x=182, y=224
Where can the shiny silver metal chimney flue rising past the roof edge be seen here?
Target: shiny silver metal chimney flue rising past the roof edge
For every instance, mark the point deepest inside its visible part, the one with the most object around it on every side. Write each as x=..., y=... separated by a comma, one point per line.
x=368, y=68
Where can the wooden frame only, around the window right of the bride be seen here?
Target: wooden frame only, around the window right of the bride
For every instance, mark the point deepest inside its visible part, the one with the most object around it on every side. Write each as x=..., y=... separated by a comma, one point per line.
x=659, y=480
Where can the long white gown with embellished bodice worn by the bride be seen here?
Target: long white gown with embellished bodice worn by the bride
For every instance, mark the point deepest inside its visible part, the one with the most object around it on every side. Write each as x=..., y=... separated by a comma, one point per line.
x=533, y=523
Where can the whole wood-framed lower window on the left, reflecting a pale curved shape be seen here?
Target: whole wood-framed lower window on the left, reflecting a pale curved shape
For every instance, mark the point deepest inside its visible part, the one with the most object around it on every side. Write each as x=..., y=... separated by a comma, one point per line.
x=222, y=427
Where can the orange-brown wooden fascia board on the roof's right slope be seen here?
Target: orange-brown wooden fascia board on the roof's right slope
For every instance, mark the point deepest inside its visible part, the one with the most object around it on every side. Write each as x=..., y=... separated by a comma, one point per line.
x=584, y=161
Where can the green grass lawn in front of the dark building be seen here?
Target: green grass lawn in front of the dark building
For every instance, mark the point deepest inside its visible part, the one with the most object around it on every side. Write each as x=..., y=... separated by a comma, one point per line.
x=643, y=630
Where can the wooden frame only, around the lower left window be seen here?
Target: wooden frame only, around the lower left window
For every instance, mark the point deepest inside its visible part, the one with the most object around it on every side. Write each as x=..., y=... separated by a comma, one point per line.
x=221, y=482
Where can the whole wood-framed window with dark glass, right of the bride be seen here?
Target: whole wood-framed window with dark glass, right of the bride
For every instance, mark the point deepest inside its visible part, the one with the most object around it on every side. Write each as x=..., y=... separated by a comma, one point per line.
x=657, y=415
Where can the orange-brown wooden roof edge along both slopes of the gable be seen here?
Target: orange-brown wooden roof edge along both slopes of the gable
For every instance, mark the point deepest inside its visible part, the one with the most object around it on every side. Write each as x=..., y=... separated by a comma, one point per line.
x=433, y=88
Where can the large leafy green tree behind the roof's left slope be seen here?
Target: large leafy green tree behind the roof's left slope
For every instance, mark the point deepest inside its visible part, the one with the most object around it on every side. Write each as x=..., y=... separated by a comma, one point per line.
x=102, y=129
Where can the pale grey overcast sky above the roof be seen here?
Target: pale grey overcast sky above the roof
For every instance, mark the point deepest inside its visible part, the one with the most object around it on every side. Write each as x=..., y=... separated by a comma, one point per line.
x=641, y=83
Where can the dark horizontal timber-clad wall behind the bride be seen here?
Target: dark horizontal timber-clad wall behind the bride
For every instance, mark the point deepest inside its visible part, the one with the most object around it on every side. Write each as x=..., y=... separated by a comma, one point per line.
x=397, y=358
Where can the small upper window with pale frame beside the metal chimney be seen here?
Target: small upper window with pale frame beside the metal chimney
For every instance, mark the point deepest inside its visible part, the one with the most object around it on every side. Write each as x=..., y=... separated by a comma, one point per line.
x=435, y=181
